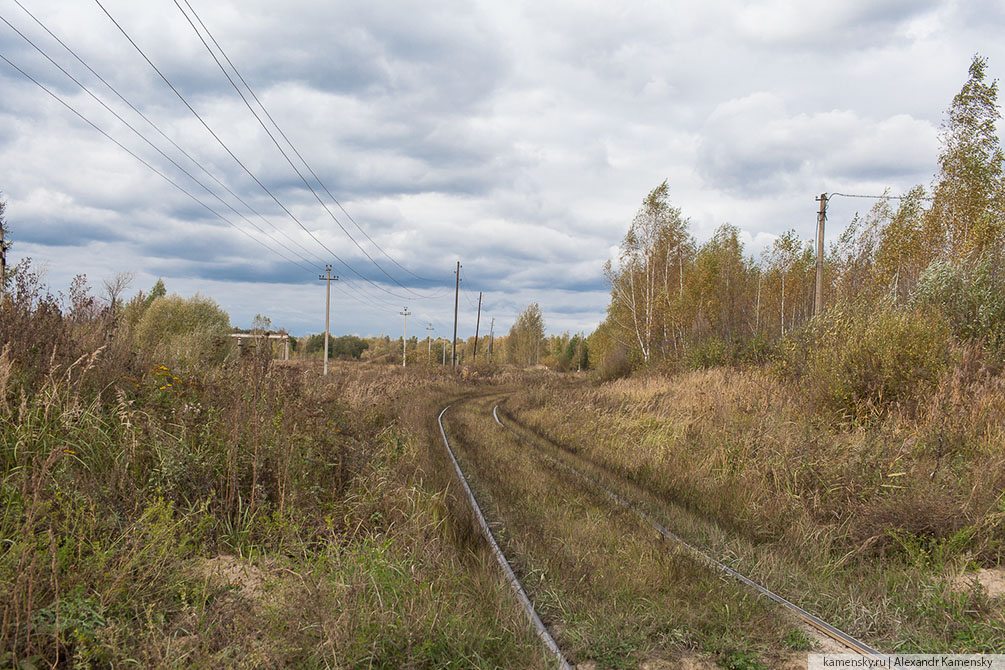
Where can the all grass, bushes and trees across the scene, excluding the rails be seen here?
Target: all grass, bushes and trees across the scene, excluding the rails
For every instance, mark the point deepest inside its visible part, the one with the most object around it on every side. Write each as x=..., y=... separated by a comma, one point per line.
x=167, y=504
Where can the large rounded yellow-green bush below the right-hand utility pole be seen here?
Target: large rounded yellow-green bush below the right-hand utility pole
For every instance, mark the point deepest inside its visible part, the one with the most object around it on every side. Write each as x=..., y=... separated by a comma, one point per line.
x=858, y=361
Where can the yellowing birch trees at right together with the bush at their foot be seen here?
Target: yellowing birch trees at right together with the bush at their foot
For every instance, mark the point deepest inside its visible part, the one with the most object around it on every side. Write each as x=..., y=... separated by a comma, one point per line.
x=904, y=272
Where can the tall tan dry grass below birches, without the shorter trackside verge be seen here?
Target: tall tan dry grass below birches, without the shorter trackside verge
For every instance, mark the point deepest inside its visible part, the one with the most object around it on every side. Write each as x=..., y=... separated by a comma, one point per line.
x=744, y=448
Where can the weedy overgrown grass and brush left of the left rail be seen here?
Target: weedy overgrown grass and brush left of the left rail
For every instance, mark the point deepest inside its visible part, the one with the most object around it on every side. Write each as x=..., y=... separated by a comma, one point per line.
x=162, y=513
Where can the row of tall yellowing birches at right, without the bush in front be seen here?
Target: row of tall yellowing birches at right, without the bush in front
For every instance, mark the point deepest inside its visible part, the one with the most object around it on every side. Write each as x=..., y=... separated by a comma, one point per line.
x=675, y=301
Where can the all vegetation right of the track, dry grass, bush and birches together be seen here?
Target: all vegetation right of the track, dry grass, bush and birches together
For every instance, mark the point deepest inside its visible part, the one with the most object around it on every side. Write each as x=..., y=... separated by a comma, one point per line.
x=858, y=452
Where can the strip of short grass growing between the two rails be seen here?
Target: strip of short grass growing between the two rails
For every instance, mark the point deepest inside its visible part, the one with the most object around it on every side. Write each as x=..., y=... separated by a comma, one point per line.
x=612, y=591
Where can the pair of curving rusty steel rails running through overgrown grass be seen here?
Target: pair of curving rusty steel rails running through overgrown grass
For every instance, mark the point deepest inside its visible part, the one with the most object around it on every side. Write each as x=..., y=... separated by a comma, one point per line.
x=846, y=640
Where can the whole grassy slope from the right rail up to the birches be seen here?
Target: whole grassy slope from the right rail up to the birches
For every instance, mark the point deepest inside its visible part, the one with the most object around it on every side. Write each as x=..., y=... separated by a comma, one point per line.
x=871, y=524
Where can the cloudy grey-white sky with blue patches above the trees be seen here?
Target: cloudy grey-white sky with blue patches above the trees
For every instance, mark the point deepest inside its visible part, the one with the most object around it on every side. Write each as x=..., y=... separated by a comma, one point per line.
x=518, y=138
